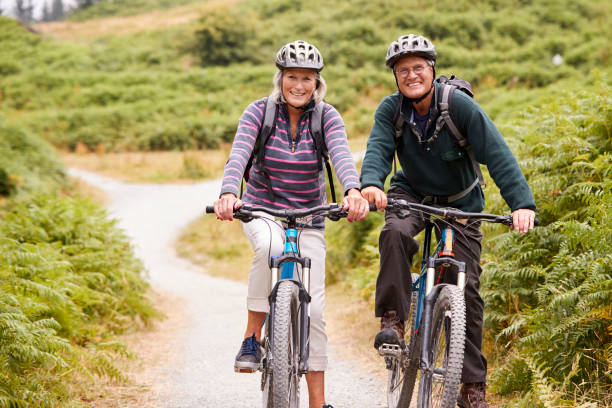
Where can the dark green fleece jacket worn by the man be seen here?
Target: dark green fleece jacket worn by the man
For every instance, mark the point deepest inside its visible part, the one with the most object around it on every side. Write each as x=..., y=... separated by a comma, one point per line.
x=442, y=168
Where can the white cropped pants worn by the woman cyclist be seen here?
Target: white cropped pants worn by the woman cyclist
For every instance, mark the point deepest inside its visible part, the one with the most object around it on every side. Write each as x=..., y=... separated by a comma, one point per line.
x=268, y=240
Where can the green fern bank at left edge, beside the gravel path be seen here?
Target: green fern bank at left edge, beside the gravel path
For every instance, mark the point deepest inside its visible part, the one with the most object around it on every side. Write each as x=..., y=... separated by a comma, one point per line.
x=69, y=281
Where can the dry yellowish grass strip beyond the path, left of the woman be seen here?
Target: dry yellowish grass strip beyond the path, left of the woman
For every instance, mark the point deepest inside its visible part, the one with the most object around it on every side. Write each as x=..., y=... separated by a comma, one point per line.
x=152, y=167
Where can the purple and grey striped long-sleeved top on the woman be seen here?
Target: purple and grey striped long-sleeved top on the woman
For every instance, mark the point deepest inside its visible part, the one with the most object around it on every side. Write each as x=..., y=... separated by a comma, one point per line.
x=295, y=178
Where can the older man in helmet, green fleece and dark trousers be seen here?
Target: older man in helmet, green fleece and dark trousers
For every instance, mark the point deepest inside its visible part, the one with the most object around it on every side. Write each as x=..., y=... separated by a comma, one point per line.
x=435, y=170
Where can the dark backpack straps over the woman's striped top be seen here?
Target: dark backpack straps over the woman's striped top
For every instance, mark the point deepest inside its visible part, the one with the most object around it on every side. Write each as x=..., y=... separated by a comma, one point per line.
x=316, y=130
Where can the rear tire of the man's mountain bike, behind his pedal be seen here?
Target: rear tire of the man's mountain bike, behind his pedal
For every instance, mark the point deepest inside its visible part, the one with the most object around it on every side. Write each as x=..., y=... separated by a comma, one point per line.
x=402, y=375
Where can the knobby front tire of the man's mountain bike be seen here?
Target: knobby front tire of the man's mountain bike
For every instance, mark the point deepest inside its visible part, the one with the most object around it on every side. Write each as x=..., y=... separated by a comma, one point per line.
x=439, y=387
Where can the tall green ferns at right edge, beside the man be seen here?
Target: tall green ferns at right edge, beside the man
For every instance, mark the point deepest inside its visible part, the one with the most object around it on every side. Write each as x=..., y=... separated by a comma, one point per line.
x=549, y=292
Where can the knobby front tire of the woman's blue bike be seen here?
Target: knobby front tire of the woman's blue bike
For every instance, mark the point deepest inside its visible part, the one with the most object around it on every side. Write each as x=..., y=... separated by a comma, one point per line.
x=285, y=379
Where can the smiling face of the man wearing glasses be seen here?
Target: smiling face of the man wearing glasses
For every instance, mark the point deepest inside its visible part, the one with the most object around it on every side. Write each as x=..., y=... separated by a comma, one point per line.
x=414, y=76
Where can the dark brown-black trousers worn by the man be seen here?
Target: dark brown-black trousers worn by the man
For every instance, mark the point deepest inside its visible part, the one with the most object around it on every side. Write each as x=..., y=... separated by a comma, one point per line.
x=397, y=246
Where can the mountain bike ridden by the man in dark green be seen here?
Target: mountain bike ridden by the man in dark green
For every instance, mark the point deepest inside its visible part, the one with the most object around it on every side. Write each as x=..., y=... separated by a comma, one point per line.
x=434, y=346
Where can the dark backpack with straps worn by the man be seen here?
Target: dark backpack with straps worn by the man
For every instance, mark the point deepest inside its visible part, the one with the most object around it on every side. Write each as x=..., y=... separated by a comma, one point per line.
x=449, y=86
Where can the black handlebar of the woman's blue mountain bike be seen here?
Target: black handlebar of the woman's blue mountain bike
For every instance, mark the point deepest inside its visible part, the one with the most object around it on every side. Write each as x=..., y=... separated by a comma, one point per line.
x=332, y=211
